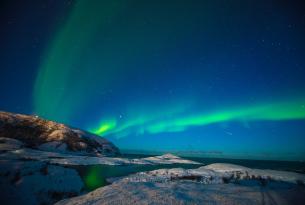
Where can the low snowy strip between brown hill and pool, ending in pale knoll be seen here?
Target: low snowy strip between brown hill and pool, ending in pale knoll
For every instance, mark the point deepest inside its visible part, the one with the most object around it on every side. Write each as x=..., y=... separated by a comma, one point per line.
x=14, y=150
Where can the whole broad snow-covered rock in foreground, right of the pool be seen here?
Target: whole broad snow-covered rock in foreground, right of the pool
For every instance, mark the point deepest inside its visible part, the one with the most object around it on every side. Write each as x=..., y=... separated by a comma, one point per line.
x=212, y=184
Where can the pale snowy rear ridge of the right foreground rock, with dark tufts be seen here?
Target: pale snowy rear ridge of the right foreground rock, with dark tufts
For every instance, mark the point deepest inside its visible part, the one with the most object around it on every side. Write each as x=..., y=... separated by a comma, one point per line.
x=217, y=173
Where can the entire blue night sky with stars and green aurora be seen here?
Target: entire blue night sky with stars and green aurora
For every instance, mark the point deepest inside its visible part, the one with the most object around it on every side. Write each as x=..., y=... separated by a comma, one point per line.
x=208, y=78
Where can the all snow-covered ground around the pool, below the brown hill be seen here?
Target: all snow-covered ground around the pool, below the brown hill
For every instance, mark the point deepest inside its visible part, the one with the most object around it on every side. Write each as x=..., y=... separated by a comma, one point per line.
x=32, y=176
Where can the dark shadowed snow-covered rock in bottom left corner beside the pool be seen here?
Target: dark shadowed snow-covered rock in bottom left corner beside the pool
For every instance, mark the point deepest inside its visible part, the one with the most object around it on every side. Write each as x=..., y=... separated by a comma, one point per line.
x=35, y=182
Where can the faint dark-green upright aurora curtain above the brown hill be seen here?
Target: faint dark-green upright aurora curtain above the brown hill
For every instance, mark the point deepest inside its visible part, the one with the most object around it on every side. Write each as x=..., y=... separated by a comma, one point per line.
x=64, y=80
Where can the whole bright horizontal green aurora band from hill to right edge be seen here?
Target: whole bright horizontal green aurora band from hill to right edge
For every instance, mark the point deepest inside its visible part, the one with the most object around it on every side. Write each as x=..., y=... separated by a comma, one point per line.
x=154, y=125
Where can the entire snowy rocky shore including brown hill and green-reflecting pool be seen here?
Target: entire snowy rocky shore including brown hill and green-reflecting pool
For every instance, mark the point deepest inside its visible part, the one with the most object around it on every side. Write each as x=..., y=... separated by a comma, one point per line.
x=44, y=162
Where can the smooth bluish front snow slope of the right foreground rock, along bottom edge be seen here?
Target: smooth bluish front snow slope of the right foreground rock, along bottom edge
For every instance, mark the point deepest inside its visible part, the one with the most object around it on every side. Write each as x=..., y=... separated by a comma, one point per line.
x=186, y=193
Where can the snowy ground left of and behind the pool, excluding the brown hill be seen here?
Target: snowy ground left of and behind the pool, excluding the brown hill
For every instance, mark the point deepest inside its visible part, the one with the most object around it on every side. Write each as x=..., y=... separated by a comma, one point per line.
x=33, y=176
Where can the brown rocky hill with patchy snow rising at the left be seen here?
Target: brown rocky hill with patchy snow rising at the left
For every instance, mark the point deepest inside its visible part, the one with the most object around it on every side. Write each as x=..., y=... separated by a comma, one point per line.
x=38, y=133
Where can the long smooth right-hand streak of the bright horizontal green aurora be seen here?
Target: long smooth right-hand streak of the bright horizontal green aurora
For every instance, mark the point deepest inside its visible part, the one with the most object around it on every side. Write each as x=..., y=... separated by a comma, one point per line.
x=280, y=111
